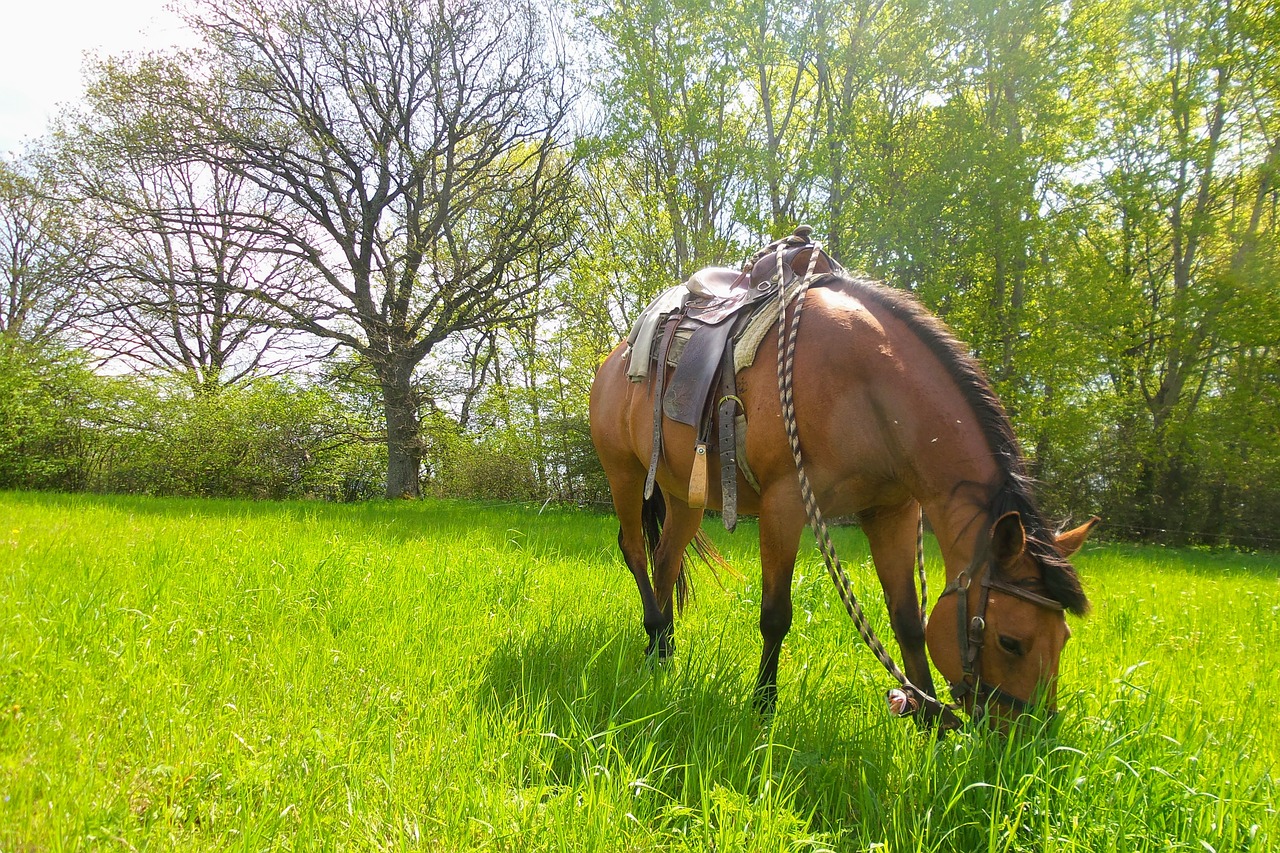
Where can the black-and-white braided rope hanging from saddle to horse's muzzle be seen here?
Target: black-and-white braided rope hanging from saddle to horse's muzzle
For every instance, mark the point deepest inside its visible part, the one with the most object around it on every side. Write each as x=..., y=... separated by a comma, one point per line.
x=924, y=703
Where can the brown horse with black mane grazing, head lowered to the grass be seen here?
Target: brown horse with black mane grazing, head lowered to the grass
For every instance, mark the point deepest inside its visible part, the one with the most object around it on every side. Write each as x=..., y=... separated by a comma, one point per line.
x=894, y=416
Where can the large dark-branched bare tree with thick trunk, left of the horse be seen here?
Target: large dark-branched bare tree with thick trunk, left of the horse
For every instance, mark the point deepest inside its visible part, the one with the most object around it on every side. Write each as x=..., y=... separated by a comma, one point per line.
x=417, y=153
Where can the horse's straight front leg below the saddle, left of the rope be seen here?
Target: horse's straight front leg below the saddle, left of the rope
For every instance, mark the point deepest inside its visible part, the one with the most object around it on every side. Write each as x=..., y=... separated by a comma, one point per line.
x=780, y=541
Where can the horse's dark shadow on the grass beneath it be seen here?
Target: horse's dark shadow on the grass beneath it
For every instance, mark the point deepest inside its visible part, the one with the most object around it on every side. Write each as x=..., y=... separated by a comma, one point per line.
x=588, y=704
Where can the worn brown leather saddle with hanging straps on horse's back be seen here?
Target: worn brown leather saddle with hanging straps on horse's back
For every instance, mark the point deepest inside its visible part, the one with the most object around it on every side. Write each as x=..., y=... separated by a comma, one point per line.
x=693, y=327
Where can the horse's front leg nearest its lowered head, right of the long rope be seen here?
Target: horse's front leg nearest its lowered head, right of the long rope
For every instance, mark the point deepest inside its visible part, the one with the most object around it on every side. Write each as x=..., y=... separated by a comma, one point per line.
x=892, y=535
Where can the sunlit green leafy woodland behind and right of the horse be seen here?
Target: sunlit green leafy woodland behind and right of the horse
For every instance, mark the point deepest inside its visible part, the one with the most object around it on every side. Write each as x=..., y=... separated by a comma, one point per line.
x=1085, y=191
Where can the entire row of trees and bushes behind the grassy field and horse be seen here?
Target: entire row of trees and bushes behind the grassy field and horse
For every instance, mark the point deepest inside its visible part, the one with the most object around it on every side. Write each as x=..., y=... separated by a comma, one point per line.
x=1086, y=191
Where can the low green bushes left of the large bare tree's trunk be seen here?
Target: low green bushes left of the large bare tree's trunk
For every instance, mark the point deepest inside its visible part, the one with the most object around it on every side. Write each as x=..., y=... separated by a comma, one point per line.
x=63, y=427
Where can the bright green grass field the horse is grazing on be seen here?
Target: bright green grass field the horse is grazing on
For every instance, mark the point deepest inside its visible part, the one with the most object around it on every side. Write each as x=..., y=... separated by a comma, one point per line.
x=452, y=677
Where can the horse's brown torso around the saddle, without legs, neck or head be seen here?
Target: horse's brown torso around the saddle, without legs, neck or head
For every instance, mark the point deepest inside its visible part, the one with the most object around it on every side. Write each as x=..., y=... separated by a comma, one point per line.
x=853, y=390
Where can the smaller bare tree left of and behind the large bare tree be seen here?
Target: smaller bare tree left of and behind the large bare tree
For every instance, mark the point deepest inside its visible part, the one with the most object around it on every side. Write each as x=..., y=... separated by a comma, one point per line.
x=185, y=280
